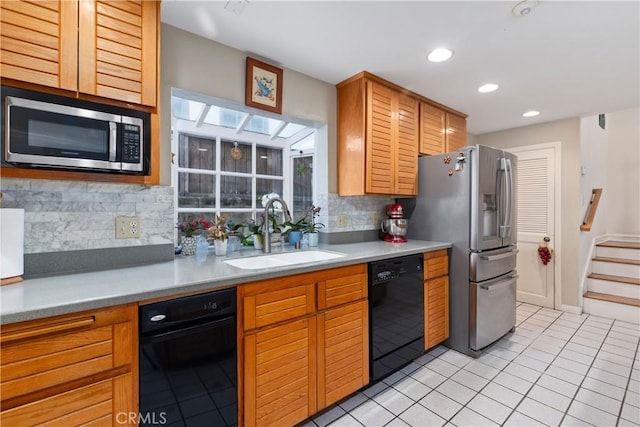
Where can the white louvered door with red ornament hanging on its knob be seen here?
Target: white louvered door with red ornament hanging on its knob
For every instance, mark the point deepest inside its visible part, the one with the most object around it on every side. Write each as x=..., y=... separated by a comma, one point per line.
x=536, y=220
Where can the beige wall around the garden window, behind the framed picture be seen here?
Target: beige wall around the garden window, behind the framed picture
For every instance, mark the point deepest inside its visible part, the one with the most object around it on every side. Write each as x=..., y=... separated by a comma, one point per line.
x=201, y=65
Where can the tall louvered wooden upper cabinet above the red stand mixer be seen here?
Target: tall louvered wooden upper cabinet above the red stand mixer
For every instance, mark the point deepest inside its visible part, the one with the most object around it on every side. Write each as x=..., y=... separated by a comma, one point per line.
x=377, y=138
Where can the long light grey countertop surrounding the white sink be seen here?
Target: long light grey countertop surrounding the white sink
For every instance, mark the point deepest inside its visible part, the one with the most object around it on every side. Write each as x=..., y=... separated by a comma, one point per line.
x=50, y=296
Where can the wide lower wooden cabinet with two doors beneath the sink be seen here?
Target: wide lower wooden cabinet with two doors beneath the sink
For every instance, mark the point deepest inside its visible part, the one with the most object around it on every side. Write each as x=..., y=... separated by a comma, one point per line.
x=298, y=359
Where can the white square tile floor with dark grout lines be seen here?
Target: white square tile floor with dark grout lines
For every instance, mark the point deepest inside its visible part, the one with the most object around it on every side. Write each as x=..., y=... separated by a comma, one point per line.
x=556, y=369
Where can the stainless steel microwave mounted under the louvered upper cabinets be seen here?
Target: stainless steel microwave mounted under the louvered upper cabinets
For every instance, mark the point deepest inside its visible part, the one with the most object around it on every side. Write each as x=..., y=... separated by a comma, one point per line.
x=44, y=130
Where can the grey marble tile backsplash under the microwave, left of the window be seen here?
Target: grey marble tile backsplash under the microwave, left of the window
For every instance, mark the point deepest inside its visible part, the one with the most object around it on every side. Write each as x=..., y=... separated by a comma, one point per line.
x=72, y=215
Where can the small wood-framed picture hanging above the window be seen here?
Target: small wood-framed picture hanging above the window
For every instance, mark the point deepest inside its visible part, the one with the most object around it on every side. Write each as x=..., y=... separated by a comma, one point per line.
x=263, y=86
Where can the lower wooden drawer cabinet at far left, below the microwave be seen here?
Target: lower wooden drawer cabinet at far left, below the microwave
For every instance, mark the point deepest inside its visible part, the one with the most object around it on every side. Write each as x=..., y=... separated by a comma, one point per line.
x=70, y=370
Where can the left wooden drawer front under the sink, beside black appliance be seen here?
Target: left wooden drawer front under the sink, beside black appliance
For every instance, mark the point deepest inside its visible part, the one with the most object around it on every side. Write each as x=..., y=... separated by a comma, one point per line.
x=273, y=306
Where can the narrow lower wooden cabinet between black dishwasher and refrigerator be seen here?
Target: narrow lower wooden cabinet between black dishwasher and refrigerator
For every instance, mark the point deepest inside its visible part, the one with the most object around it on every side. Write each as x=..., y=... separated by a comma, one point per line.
x=436, y=298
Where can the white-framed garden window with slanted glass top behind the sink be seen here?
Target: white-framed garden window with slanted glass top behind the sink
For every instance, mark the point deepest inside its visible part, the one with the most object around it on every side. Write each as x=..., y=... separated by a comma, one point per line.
x=226, y=157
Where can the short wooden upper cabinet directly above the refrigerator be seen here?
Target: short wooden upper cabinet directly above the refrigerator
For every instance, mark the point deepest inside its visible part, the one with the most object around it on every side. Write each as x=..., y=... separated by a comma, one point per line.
x=441, y=131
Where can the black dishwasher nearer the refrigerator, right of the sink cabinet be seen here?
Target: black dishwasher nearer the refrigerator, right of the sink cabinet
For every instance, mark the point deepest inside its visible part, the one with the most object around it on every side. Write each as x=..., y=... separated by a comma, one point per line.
x=396, y=313
